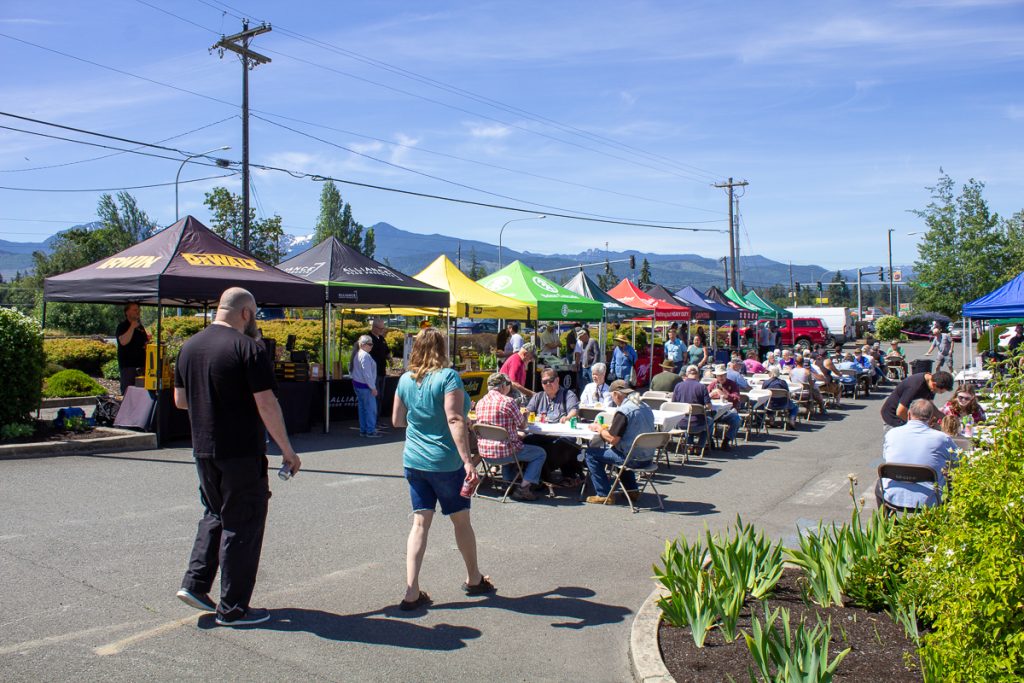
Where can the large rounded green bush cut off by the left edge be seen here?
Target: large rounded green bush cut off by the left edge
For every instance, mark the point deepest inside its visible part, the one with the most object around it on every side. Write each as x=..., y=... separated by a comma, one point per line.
x=23, y=361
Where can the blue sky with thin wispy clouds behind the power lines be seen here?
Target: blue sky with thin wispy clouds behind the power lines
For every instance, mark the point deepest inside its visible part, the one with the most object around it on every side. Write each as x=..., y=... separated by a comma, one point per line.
x=839, y=115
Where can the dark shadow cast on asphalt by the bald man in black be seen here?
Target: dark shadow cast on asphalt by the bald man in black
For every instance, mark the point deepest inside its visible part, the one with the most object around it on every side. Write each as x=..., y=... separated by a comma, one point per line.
x=371, y=628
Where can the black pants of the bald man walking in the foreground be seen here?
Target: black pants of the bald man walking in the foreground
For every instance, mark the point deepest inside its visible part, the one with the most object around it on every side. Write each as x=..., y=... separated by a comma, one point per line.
x=235, y=494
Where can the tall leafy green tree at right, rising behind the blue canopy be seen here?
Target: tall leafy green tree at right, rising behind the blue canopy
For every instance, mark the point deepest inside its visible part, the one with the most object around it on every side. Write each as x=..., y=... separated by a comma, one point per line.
x=963, y=254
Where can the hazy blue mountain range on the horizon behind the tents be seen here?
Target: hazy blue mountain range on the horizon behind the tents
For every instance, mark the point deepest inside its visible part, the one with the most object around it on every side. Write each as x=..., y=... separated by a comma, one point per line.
x=411, y=252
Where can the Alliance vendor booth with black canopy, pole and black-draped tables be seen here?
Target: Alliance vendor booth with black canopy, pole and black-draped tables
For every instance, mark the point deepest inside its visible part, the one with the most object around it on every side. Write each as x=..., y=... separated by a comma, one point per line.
x=349, y=281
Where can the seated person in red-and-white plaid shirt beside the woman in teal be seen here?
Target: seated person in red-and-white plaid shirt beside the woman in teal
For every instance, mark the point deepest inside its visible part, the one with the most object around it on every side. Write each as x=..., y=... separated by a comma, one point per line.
x=498, y=409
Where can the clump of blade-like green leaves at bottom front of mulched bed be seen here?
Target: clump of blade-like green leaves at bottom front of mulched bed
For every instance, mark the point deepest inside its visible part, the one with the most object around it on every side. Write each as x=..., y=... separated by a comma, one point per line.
x=792, y=656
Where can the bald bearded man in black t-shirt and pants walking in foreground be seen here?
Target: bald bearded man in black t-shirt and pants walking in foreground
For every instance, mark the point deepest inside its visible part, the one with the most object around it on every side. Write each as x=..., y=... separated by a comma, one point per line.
x=226, y=382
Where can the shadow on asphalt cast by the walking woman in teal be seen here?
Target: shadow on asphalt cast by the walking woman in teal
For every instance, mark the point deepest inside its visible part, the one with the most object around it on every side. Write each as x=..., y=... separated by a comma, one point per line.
x=565, y=602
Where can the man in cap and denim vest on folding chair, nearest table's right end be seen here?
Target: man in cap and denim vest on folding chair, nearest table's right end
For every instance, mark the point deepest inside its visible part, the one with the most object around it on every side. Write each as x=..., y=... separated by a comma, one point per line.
x=613, y=443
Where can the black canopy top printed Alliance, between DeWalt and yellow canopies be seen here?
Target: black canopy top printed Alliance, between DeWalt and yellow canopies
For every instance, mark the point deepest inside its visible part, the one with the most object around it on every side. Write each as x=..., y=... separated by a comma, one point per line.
x=353, y=279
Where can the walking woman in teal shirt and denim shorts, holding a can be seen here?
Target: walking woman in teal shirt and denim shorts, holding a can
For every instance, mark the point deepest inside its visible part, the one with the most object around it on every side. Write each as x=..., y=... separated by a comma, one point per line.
x=432, y=403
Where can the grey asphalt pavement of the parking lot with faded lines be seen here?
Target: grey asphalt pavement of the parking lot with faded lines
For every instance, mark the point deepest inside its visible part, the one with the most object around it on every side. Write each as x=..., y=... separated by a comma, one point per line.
x=94, y=548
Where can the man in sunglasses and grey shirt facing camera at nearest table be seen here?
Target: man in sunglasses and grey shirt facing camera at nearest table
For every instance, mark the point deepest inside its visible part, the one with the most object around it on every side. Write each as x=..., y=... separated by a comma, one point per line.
x=556, y=404
